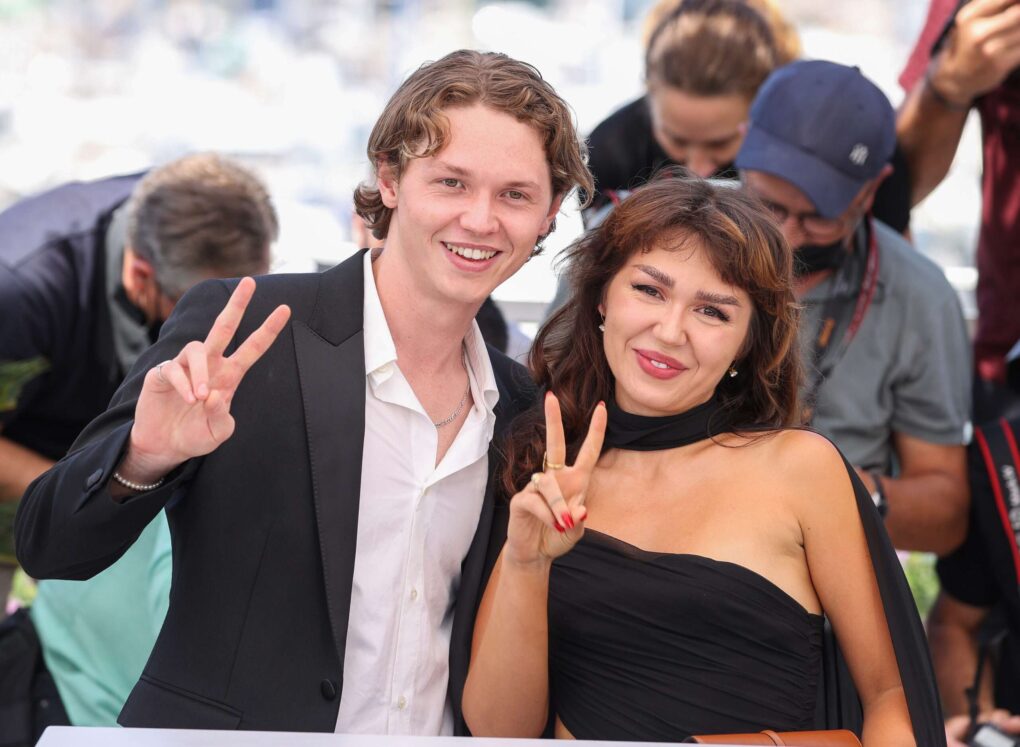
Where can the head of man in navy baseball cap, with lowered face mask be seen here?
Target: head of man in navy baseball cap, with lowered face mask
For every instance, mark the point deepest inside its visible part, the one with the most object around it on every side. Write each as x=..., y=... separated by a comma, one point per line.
x=817, y=151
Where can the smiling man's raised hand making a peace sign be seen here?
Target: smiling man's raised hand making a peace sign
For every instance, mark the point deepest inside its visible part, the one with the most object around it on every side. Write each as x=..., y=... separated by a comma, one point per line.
x=184, y=410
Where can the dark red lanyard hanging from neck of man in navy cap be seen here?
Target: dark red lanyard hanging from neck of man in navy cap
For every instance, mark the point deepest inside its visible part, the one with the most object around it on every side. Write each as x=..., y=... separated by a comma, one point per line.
x=837, y=308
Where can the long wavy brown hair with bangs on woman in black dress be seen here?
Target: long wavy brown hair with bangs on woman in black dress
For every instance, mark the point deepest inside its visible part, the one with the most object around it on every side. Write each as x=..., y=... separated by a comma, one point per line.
x=746, y=248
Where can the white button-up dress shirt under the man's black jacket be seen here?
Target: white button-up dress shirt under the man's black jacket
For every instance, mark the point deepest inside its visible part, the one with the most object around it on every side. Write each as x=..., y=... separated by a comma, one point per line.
x=416, y=524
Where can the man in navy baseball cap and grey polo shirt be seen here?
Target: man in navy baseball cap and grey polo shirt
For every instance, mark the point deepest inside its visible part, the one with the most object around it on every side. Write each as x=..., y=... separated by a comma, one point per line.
x=885, y=341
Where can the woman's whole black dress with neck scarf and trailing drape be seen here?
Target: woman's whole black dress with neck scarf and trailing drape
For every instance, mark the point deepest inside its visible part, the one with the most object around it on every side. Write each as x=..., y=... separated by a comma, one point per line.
x=651, y=646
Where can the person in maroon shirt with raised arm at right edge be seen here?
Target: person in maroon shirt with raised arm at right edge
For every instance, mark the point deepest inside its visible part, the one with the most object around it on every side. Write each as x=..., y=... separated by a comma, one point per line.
x=967, y=57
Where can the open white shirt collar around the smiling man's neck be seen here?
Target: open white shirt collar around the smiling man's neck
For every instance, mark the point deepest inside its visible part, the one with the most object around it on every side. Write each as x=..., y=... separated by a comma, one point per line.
x=381, y=353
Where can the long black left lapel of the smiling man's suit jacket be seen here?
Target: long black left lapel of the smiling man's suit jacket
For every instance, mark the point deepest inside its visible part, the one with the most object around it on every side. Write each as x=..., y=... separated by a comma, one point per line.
x=331, y=356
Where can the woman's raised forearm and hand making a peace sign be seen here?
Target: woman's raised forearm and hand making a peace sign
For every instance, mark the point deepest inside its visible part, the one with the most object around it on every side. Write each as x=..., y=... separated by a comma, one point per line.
x=507, y=689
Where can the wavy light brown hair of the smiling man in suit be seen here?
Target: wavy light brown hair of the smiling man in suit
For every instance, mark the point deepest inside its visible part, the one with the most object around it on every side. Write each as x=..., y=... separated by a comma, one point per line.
x=414, y=126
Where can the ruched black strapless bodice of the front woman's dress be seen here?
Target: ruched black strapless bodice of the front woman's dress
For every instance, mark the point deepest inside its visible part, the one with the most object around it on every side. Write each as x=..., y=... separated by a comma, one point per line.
x=657, y=646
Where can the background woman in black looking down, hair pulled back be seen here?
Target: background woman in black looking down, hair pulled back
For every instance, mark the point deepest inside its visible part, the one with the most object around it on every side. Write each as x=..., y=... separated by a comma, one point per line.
x=705, y=61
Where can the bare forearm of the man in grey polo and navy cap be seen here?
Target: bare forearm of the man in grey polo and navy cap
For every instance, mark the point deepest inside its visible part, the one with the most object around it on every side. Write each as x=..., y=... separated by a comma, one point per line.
x=928, y=502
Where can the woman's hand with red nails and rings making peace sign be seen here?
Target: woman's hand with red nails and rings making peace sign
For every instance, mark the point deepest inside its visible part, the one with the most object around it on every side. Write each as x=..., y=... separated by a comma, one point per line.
x=547, y=518
